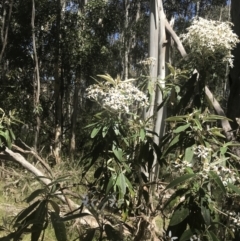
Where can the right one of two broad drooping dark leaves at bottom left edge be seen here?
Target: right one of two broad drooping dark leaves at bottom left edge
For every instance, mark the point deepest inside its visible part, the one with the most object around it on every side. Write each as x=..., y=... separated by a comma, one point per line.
x=59, y=227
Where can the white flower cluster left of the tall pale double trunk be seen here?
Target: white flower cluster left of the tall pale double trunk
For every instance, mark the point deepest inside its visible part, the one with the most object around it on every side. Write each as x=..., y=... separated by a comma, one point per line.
x=117, y=98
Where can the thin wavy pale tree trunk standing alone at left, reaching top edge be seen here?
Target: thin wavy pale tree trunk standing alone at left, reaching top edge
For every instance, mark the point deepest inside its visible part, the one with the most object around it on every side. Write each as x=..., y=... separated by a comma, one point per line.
x=36, y=81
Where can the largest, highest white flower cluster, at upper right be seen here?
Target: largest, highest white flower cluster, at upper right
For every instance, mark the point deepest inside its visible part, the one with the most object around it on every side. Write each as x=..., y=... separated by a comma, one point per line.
x=211, y=37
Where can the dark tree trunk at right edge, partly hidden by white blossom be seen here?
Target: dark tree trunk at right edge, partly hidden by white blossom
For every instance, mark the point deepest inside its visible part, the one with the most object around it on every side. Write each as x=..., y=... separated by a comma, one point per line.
x=233, y=107
